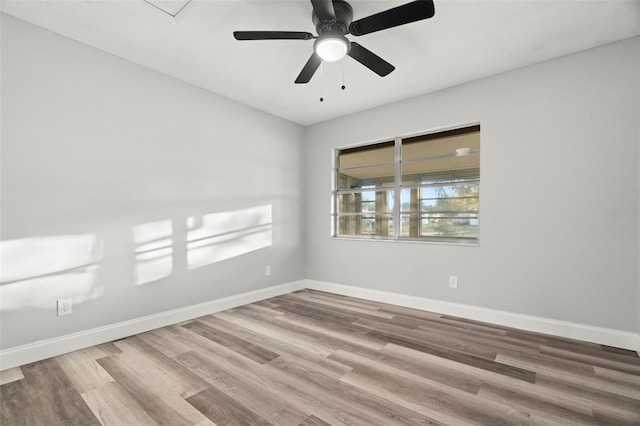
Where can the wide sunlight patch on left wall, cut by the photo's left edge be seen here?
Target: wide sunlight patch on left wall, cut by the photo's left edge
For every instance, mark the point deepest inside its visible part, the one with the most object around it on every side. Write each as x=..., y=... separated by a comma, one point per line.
x=37, y=271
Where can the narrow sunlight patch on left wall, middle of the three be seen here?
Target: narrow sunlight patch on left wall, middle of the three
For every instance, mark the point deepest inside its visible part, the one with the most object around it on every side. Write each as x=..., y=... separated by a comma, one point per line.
x=154, y=251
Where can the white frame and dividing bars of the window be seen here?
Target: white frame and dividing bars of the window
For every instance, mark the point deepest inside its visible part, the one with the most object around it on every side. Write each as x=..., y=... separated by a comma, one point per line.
x=396, y=189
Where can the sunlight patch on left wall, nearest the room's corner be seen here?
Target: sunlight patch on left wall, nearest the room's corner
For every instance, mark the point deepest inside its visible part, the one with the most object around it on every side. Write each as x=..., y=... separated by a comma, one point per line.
x=220, y=236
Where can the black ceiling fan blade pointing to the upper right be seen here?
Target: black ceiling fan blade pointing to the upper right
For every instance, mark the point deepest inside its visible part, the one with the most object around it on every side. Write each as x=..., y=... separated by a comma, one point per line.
x=410, y=12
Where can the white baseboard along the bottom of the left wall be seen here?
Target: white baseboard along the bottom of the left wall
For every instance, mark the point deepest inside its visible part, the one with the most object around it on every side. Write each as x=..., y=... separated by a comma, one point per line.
x=20, y=355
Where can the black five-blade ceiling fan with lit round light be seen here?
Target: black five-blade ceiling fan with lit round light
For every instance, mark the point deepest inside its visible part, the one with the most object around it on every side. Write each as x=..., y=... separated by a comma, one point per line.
x=333, y=21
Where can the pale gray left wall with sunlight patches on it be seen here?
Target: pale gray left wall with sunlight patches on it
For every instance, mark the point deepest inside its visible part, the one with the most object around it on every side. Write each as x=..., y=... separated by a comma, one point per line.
x=95, y=147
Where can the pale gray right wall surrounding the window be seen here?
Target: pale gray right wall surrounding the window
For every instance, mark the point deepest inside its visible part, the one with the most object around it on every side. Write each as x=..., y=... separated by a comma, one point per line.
x=559, y=154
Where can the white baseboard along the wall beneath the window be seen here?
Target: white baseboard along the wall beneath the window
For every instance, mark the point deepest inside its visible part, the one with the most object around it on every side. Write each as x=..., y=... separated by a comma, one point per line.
x=599, y=335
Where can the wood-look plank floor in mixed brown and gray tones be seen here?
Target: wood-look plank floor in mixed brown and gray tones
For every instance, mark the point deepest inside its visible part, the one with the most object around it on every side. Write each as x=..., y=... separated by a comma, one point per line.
x=312, y=358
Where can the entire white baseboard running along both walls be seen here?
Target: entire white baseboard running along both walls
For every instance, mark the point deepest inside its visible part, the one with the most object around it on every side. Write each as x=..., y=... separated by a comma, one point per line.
x=21, y=355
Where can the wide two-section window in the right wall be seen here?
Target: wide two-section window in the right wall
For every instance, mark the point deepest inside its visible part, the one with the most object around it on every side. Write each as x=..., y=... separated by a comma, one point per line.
x=422, y=188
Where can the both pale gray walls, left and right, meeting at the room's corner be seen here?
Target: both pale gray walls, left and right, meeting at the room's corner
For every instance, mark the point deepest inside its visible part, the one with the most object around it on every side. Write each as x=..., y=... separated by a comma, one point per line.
x=96, y=152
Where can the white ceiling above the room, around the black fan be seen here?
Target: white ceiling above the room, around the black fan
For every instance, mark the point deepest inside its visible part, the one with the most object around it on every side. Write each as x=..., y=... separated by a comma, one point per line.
x=464, y=41
